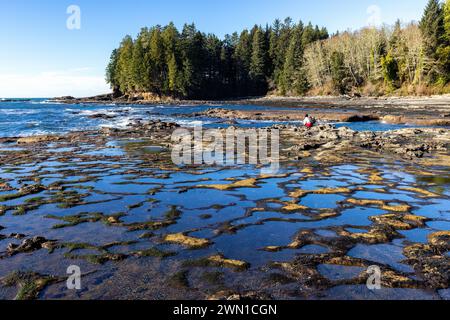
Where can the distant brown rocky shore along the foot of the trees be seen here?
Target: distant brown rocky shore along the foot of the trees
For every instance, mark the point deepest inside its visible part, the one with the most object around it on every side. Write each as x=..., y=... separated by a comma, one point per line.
x=423, y=111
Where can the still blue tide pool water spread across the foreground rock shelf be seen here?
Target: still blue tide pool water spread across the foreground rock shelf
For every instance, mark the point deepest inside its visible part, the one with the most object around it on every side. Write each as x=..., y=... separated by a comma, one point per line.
x=240, y=224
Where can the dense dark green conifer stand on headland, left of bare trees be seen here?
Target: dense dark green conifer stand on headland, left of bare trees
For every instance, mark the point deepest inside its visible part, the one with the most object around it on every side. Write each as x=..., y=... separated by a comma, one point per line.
x=194, y=65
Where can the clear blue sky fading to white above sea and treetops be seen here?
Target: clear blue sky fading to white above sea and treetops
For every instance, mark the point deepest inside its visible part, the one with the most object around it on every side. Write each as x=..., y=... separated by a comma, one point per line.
x=54, y=48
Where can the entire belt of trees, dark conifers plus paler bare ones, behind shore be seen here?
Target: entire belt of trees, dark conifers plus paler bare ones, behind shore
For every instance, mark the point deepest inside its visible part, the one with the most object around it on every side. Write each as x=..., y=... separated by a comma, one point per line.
x=286, y=58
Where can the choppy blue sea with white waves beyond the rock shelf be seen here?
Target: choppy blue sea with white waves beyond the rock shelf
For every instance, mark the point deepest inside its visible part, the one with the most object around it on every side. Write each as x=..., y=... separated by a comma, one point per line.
x=39, y=116
